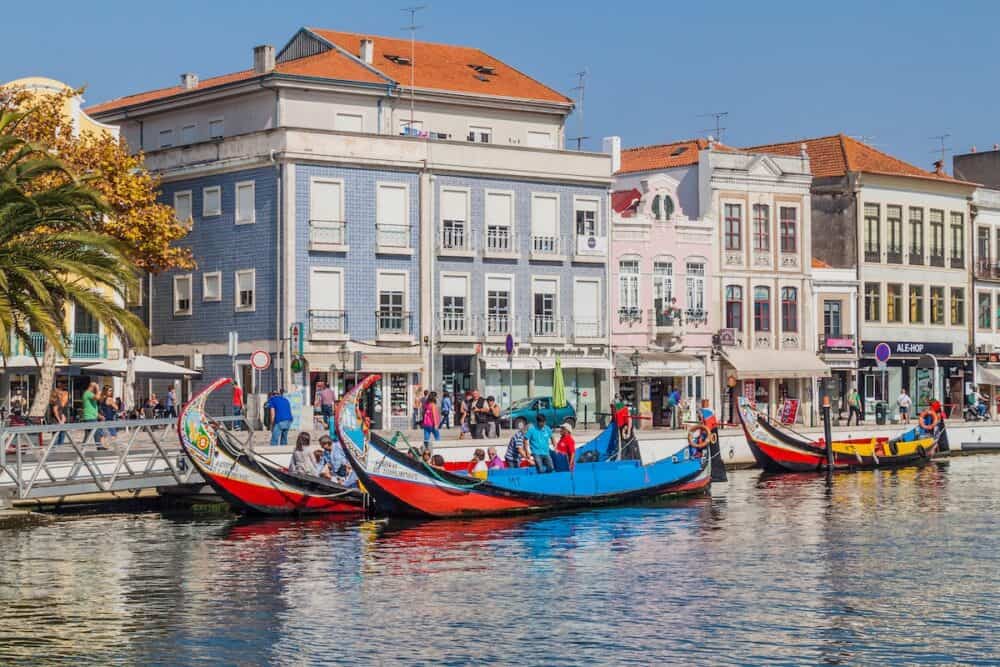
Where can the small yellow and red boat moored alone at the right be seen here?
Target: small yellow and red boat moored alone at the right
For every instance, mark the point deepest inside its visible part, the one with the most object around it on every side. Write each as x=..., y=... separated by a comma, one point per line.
x=779, y=449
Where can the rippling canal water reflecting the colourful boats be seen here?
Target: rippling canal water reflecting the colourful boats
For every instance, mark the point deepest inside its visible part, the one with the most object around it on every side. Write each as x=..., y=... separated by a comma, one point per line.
x=880, y=567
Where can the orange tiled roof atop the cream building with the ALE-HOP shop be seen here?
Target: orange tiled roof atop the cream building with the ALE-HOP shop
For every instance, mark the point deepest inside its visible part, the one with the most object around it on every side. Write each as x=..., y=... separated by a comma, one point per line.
x=836, y=155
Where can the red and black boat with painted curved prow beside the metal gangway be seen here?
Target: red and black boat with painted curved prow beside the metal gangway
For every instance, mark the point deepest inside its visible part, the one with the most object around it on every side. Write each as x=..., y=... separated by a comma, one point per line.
x=248, y=481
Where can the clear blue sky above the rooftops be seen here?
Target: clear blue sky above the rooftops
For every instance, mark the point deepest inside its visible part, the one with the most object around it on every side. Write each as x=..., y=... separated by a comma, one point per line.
x=895, y=73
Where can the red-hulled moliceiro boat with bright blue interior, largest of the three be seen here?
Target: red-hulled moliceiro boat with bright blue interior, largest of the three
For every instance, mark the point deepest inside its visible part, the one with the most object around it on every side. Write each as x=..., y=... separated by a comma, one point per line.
x=607, y=470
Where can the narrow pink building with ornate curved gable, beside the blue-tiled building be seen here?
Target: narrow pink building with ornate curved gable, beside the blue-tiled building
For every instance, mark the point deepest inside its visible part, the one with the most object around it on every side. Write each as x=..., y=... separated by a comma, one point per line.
x=661, y=265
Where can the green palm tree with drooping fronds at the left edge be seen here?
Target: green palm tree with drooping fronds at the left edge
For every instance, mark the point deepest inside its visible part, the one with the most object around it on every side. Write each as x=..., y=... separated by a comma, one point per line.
x=52, y=253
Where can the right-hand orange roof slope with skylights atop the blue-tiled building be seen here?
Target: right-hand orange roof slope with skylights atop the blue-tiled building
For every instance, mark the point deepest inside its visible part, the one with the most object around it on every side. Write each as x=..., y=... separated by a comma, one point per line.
x=445, y=67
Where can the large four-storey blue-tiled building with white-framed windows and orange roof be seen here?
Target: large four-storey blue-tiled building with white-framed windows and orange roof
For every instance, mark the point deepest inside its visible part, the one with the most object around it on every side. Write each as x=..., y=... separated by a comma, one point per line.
x=355, y=225
